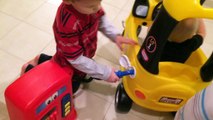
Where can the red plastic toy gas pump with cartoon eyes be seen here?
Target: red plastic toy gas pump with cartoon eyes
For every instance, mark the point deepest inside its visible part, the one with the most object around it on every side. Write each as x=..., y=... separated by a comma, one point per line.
x=43, y=93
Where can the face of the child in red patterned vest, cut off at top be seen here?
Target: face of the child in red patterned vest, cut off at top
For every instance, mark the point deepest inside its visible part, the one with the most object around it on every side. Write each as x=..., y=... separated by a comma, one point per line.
x=87, y=6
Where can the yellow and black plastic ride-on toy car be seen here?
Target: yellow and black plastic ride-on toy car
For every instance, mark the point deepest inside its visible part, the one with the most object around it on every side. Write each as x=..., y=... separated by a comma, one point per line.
x=160, y=86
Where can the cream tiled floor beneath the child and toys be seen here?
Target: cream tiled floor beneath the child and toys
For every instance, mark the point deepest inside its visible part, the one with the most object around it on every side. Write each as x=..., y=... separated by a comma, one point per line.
x=26, y=30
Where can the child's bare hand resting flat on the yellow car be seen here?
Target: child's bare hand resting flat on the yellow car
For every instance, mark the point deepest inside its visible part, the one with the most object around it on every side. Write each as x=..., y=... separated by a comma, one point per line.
x=122, y=40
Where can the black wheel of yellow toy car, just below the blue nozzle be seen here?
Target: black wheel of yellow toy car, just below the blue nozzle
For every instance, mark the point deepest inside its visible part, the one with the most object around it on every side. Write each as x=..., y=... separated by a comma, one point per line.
x=123, y=103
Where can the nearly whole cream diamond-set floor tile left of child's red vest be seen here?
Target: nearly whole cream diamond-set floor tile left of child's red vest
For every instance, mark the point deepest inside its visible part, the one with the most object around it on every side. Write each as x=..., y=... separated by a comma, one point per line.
x=25, y=41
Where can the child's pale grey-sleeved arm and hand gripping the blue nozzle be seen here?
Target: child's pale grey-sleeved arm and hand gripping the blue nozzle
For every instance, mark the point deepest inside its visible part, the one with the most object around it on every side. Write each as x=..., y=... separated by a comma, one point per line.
x=94, y=69
